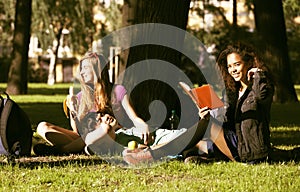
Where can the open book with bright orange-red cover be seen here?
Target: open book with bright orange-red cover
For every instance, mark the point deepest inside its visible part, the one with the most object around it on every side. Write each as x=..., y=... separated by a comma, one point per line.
x=203, y=96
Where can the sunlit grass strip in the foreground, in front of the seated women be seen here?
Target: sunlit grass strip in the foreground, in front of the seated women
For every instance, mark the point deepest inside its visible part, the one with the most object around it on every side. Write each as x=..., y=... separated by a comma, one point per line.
x=171, y=176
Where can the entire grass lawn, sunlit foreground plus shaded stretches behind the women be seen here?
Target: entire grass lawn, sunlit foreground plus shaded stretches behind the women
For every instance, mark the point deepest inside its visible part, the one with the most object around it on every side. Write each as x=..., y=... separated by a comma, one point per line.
x=86, y=173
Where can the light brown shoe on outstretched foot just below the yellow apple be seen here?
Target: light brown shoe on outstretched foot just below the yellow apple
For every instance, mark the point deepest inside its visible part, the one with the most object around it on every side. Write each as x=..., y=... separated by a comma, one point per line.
x=137, y=156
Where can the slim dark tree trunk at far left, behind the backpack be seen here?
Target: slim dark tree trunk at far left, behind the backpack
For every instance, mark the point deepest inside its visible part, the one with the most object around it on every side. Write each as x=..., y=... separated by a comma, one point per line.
x=18, y=72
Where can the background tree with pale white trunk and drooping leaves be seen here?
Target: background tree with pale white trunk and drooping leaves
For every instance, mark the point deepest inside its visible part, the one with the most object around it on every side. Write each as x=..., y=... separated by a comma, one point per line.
x=55, y=17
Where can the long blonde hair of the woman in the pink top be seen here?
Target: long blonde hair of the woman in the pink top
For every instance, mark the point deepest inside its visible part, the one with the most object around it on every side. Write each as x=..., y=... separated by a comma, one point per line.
x=87, y=101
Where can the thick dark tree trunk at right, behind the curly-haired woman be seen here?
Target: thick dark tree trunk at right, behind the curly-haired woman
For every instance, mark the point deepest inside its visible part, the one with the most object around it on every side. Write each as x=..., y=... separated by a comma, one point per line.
x=270, y=26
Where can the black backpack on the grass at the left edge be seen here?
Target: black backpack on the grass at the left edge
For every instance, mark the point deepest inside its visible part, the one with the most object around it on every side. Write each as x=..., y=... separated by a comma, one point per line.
x=15, y=129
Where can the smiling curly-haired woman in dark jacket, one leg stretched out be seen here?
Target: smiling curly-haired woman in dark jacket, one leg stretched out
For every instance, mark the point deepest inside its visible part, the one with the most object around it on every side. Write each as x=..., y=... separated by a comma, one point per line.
x=240, y=130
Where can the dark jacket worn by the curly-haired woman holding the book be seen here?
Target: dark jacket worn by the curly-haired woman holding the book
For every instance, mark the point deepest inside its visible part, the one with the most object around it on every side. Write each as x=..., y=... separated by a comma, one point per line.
x=249, y=118
